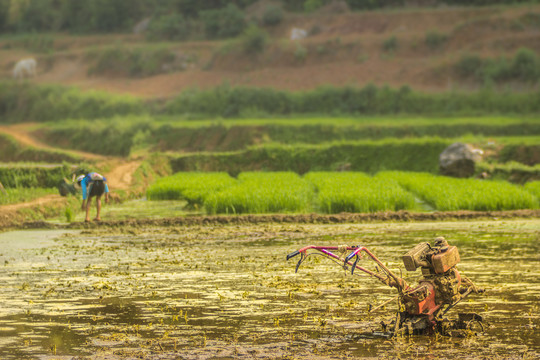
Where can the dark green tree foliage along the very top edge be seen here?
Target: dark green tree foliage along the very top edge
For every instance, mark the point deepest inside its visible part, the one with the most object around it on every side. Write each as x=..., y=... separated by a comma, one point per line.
x=222, y=18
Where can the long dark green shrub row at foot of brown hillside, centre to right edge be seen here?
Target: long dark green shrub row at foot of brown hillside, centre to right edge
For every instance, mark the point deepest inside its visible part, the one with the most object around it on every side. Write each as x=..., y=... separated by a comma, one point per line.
x=230, y=102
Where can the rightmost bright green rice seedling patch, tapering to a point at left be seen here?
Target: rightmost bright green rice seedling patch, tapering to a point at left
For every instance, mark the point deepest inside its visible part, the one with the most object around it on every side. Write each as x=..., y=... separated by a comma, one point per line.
x=447, y=194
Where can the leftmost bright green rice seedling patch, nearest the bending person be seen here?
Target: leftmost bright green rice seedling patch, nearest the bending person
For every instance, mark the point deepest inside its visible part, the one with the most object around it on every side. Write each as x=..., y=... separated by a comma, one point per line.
x=193, y=187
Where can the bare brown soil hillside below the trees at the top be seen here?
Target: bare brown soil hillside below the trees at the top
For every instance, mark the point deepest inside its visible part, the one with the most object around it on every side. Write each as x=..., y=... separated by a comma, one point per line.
x=342, y=49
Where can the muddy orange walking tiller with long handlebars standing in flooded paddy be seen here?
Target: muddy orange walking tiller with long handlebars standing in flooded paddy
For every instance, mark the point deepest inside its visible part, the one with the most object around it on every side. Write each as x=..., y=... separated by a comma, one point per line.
x=422, y=307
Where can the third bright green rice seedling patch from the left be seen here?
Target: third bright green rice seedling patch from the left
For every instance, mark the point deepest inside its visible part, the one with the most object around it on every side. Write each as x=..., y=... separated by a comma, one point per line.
x=358, y=192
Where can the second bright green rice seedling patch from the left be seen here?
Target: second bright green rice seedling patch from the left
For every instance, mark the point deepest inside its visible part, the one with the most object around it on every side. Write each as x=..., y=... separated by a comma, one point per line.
x=260, y=192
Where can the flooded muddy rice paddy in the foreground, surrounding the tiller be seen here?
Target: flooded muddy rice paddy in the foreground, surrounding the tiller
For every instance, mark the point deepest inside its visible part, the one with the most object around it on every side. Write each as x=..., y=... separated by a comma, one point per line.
x=219, y=292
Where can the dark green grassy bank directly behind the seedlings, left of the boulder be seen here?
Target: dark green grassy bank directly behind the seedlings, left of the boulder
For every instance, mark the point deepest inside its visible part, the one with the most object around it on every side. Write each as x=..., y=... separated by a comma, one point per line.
x=365, y=156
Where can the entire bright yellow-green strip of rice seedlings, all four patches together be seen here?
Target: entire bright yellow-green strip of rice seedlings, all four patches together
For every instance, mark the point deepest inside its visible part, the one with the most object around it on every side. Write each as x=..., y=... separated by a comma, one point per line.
x=335, y=192
